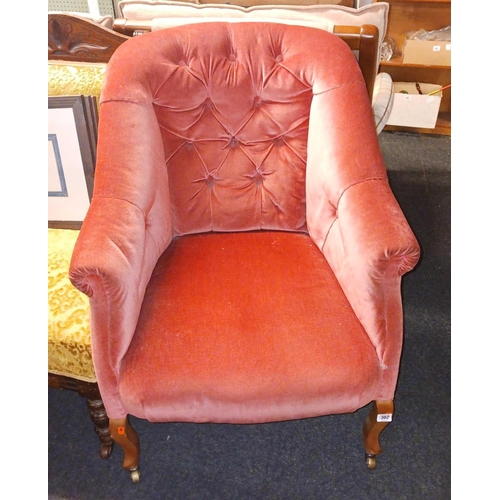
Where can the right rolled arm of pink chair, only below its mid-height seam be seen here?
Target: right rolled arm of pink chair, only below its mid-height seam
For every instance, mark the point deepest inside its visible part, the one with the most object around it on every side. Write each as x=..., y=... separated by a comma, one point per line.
x=369, y=247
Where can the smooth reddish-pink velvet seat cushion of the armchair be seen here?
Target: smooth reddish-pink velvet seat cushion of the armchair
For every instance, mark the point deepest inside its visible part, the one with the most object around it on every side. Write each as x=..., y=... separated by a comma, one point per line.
x=246, y=327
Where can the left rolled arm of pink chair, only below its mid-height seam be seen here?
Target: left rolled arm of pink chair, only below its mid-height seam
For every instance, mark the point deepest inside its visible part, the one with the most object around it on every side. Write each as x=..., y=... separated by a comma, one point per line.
x=112, y=260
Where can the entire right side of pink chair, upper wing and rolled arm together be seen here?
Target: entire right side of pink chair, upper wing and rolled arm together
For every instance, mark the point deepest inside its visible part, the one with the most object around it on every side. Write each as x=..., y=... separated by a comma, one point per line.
x=356, y=221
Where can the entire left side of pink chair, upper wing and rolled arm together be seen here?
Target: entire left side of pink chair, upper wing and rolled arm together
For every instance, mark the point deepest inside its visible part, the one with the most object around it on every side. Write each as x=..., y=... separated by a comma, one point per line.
x=127, y=227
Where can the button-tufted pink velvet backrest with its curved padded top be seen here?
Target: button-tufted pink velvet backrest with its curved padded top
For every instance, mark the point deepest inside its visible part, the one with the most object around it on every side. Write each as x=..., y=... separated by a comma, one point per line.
x=233, y=104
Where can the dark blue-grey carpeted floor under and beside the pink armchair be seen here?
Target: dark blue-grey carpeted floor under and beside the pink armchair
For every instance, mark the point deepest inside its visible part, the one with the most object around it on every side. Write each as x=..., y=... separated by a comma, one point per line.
x=314, y=459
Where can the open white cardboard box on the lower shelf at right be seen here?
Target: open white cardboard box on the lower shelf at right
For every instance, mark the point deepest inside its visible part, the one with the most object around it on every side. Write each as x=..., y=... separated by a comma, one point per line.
x=411, y=109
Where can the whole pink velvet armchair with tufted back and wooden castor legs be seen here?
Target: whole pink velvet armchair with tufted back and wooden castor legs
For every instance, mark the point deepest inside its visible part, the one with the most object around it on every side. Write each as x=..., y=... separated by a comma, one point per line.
x=243, y=251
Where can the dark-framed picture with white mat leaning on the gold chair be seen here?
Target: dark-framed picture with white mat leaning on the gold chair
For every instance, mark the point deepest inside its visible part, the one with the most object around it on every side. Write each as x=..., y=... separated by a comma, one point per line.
x=72, y=141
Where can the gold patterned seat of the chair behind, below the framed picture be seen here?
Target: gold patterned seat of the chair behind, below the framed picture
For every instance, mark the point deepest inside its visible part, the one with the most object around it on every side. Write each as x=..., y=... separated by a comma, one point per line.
x=69, y=350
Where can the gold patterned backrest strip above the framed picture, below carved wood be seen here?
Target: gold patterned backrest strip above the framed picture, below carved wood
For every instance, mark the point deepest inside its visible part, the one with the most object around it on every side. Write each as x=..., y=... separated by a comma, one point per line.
x=75, y=78
